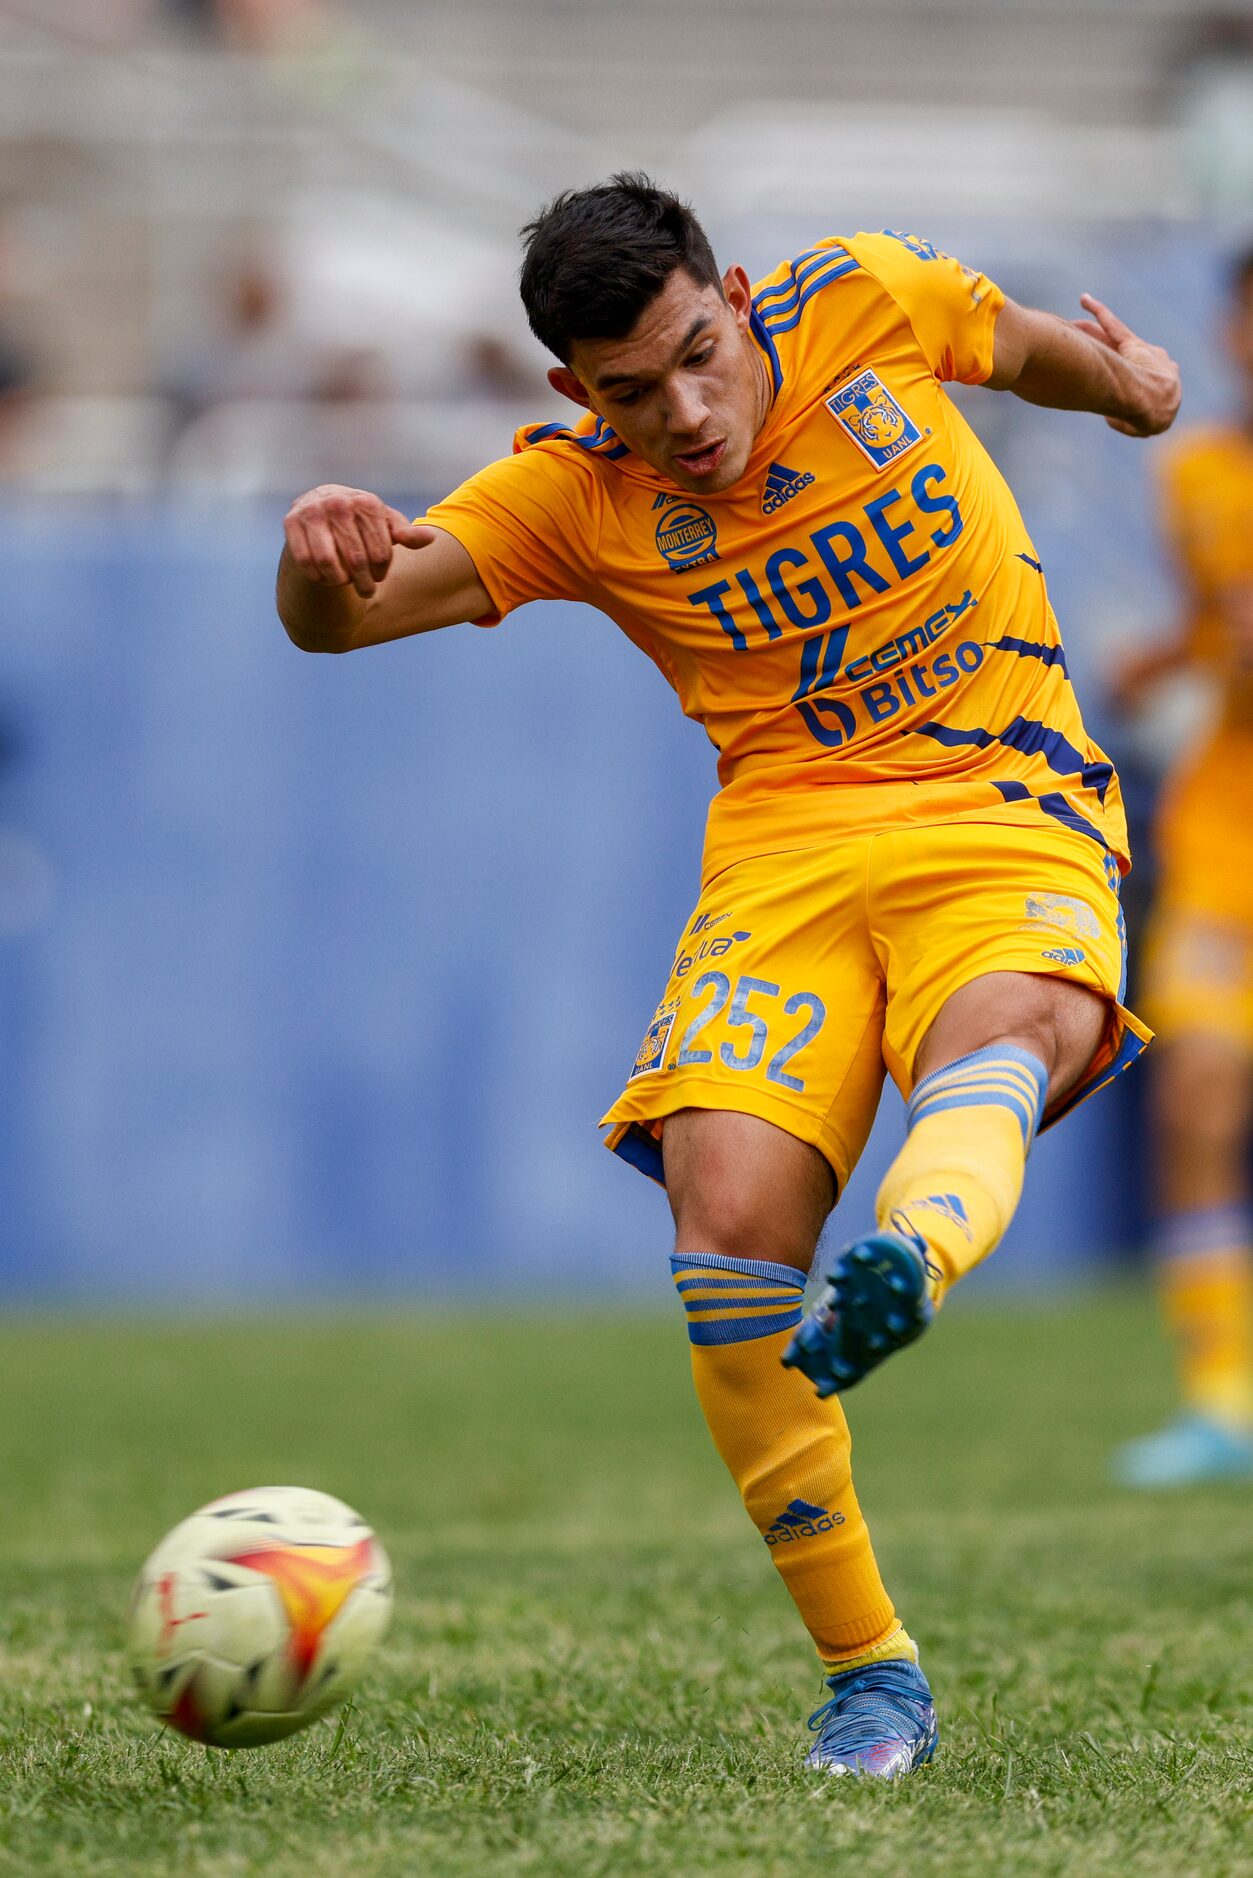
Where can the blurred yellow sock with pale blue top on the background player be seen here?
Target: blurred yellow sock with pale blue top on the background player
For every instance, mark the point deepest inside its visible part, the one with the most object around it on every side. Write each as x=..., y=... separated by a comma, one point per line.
x=1205, y=1274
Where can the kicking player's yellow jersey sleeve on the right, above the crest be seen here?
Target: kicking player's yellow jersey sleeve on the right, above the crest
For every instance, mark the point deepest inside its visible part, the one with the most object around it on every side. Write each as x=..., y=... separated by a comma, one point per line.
x=951, y=307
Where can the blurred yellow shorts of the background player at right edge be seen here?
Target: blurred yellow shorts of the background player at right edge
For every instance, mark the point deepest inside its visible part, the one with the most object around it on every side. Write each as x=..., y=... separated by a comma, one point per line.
x=1199, y=955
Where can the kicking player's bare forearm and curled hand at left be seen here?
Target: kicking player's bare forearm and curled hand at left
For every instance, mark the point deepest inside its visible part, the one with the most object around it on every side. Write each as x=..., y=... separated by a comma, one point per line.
x=358, y=574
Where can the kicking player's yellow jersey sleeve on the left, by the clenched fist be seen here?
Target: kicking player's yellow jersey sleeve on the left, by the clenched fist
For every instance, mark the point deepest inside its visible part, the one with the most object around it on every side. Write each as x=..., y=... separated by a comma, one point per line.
x=531, y=527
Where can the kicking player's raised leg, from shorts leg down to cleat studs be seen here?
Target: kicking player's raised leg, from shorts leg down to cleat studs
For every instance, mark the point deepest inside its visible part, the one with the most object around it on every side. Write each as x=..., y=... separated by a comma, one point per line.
x=983, y=1045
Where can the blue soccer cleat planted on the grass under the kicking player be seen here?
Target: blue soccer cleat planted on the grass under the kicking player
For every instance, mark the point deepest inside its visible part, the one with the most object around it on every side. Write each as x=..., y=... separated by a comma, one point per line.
x=880, y=1721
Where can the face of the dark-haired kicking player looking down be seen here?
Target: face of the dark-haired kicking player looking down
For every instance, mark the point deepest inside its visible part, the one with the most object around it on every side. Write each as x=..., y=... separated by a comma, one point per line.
x=687, y=390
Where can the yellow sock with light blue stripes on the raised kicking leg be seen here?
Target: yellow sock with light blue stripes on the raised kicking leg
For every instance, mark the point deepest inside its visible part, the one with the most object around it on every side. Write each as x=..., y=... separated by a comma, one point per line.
x=959, y=1178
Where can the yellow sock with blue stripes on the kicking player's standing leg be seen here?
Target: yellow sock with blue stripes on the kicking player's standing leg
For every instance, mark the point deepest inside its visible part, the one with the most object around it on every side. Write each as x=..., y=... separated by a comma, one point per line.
x=788, y=1453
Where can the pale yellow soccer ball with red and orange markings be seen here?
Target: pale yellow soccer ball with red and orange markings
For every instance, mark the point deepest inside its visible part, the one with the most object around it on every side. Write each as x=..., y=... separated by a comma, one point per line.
x=256, y=1616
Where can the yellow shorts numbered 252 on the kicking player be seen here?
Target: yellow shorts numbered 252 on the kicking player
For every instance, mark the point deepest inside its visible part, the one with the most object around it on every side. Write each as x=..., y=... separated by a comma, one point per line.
x=803, y=976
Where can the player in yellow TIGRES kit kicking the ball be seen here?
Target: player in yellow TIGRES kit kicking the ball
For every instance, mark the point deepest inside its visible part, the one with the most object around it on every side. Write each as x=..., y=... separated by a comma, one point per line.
x=916, y=854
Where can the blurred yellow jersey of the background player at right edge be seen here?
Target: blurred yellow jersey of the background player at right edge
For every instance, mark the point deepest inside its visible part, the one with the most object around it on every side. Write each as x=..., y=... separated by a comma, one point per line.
x=1209, y=523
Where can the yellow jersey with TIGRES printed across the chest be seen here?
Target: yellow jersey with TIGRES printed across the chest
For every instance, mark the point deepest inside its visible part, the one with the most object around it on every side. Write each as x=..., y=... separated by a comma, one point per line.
x=861, y=623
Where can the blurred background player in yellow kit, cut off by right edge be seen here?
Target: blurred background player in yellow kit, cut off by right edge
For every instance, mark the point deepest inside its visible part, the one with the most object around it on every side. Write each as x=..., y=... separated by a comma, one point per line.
x=1199, y=970
